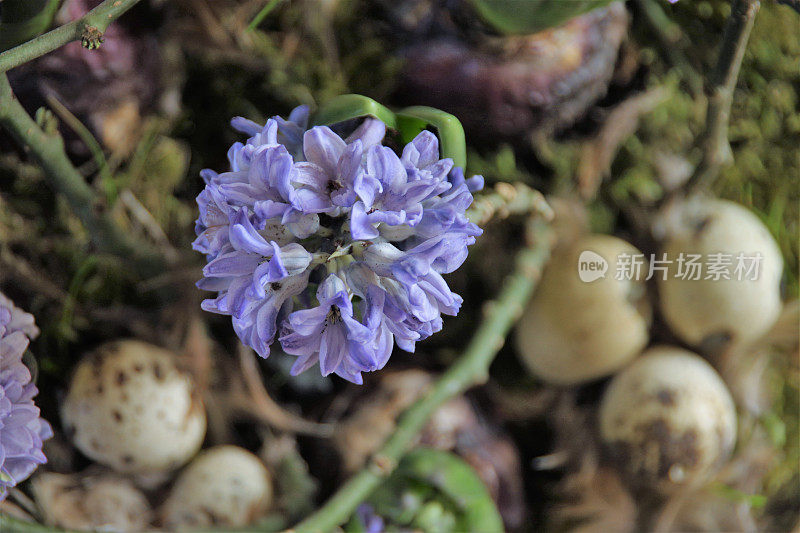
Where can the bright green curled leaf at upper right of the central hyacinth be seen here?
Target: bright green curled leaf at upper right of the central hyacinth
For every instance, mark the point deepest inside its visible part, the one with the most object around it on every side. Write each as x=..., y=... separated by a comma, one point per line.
x=452, y=141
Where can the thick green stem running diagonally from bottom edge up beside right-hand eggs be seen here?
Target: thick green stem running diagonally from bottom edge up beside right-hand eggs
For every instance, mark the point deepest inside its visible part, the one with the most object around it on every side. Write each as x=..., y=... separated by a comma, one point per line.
x=472, y=368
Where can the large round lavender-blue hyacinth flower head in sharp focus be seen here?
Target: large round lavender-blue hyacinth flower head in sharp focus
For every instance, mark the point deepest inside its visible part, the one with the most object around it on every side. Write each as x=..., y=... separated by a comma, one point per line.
x=334, y=247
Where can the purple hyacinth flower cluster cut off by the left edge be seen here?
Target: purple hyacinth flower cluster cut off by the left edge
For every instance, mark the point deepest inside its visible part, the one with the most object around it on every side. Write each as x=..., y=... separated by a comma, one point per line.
x=22, y=431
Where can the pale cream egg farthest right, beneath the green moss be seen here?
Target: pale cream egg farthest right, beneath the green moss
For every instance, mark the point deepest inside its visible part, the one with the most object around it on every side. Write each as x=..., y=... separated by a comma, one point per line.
x=712, y=309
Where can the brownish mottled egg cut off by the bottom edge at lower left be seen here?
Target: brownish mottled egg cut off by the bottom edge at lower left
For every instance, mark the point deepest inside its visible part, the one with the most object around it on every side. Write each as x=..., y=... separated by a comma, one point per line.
x=95, y=502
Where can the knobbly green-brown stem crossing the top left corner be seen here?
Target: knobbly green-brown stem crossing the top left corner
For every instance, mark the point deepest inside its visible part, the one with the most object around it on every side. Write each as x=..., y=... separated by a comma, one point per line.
x=98, y=18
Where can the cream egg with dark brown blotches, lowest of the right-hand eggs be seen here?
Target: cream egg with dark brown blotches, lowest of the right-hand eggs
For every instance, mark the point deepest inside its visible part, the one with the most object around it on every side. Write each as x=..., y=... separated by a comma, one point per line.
x=667, y=419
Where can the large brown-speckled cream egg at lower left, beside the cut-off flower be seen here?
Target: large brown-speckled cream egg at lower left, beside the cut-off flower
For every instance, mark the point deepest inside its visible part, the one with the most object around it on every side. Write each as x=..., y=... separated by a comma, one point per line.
x=130, y=408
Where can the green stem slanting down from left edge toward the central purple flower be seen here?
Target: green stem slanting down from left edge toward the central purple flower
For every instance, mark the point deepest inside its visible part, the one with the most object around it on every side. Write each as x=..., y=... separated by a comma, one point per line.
x=48, y=151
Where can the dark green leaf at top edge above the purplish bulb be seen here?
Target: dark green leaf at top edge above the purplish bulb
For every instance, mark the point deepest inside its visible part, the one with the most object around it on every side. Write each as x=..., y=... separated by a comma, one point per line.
x=530, y=16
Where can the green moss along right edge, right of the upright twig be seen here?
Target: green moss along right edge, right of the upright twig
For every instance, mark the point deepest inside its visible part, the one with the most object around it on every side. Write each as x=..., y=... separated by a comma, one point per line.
x=764, y=130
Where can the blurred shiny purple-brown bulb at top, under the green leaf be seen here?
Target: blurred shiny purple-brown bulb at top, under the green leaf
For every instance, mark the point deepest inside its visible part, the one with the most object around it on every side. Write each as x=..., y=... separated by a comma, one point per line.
x=517, y=85
